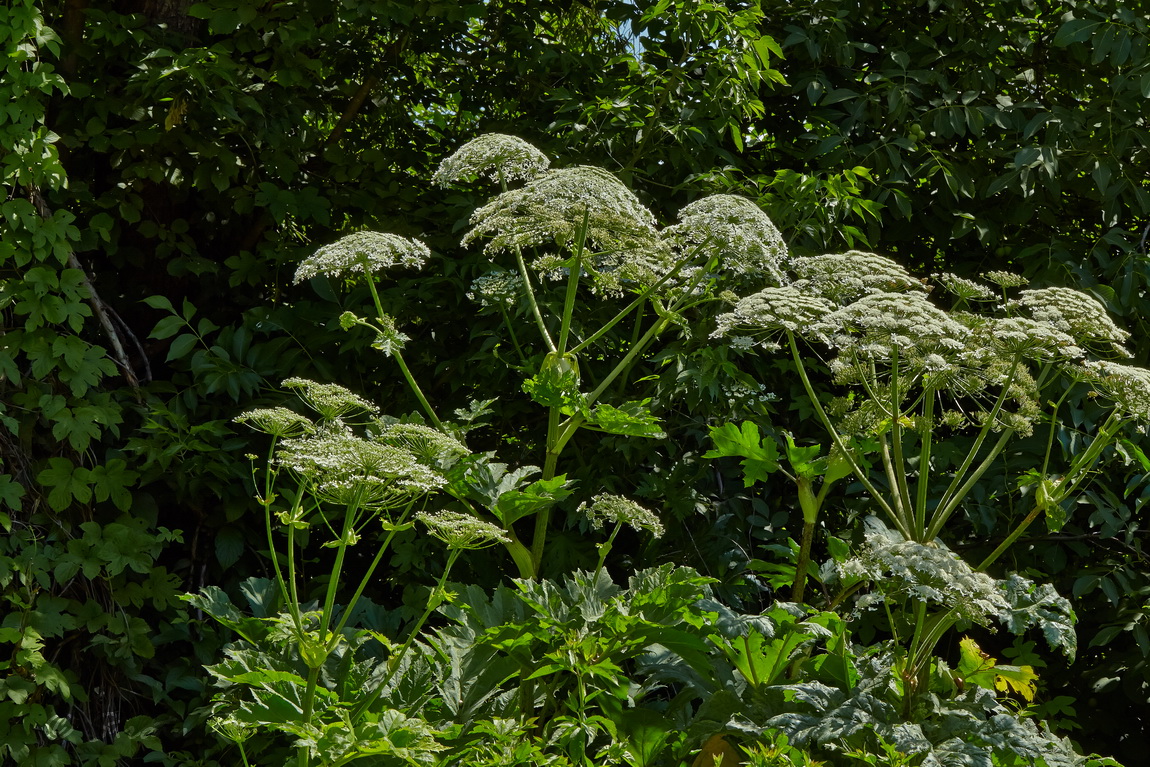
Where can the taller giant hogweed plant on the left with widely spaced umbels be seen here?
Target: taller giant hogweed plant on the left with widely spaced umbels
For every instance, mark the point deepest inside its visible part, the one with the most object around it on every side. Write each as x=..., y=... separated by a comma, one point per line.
x=347, y=477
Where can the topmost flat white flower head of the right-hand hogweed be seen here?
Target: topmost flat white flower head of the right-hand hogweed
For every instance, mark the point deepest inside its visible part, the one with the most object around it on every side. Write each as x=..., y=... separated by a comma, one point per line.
x=842, y=278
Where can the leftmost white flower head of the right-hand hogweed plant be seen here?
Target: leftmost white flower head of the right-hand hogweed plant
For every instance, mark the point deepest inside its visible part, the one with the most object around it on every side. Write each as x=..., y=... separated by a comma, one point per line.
x=762, y=317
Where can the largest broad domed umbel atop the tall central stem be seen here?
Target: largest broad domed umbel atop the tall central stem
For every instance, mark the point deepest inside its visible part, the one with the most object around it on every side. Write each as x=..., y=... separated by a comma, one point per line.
x=553, y=209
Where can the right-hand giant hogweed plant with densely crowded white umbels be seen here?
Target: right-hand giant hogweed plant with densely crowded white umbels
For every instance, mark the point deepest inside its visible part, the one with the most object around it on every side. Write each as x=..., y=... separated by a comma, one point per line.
x=994, y=367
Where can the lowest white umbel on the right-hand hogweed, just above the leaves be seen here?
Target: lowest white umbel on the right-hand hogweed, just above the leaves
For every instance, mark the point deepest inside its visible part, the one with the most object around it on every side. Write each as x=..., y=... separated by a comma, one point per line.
x=903, y=569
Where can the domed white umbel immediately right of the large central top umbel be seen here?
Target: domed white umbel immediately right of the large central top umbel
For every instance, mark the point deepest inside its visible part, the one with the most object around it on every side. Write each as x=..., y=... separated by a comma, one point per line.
x=734, y=229
